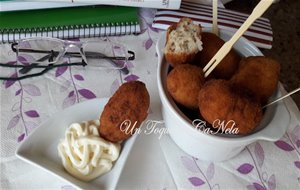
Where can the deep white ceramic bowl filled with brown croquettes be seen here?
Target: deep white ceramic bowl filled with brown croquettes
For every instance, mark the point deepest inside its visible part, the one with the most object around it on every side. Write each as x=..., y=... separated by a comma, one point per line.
x=216, y=147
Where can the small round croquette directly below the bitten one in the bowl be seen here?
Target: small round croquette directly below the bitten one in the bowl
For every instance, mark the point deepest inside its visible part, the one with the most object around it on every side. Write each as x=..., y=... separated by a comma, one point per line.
x=184, y=83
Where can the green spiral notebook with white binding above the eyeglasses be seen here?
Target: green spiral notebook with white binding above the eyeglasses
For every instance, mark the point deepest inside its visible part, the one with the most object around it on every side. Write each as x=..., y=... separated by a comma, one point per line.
x=71, y=22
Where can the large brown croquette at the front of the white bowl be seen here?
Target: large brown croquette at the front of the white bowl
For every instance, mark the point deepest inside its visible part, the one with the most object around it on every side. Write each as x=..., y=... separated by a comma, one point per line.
x=219, y=101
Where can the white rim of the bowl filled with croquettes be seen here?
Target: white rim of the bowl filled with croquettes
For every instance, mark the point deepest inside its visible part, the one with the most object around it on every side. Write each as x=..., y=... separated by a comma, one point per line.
x=258, y=135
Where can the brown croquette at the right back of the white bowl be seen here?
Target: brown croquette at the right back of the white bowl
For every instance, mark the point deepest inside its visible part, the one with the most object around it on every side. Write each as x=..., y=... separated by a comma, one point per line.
x=258, y=74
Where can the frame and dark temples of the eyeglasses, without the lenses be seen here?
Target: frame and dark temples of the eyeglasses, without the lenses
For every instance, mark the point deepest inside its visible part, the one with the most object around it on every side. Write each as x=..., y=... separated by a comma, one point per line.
x=51, y=64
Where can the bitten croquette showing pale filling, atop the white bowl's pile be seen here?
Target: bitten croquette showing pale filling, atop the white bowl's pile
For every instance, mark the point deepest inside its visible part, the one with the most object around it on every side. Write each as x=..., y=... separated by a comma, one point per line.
x=183, y=41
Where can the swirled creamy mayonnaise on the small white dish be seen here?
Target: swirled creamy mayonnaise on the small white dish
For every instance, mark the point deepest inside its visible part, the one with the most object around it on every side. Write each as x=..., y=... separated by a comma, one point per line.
x=84, y=154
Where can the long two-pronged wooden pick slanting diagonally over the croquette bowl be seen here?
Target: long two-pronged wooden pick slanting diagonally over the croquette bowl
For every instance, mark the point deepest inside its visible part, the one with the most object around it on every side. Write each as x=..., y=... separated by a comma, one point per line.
x=260, y=8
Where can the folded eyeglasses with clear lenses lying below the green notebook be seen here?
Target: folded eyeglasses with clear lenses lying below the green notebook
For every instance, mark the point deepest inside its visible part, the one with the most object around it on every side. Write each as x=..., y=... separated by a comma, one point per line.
x=43, y=54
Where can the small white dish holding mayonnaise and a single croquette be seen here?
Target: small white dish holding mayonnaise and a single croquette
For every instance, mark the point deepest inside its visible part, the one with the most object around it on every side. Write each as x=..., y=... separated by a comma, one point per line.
x=40, y=147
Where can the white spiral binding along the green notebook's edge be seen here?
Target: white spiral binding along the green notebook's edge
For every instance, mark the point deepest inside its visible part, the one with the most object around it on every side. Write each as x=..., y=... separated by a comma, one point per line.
x=74, y=31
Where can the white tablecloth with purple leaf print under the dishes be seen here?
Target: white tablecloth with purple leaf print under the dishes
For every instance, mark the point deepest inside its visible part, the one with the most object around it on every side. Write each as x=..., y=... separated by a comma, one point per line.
x=155, y=161
